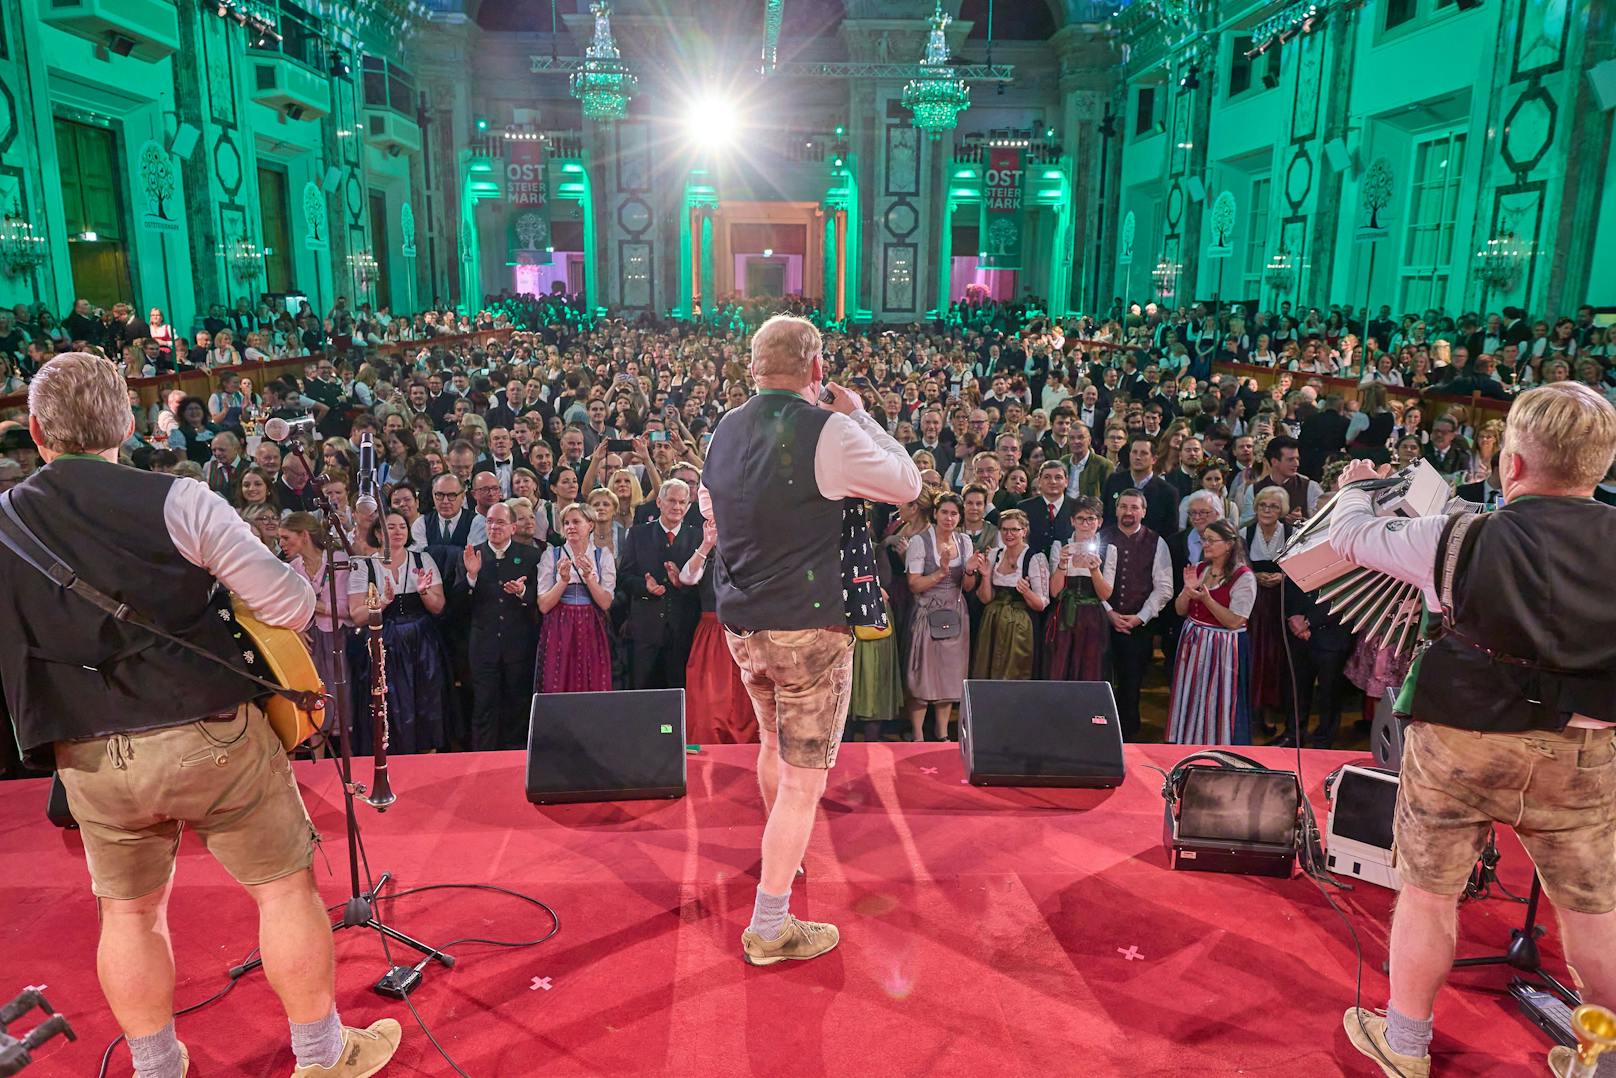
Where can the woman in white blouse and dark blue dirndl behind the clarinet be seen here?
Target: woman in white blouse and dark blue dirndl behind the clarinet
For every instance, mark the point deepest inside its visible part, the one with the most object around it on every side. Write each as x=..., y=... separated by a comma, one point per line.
x=419, y=675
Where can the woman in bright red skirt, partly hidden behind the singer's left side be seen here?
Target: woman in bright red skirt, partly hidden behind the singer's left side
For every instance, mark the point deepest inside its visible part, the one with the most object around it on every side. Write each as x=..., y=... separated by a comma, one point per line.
x=718, y=710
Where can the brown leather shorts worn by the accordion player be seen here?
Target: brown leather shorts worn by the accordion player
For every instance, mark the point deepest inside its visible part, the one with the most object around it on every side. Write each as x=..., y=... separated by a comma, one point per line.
x=1559, y=793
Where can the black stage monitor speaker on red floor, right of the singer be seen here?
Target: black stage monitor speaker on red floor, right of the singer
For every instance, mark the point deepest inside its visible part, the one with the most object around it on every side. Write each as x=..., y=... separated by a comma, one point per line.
x=1016, y=733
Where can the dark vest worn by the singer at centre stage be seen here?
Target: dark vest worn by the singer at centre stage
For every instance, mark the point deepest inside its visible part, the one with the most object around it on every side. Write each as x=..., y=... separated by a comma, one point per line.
x=780, y=560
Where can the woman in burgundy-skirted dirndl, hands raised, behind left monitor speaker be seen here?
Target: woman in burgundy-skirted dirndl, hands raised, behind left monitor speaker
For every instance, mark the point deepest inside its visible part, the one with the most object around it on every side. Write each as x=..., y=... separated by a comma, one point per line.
x=576, y=586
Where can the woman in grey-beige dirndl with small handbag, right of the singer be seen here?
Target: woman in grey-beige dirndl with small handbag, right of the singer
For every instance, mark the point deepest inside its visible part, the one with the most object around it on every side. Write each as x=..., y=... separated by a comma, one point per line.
x=940, y=563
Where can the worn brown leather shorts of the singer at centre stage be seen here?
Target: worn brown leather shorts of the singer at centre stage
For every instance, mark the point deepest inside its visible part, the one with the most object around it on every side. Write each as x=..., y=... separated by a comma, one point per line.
x=799, y=683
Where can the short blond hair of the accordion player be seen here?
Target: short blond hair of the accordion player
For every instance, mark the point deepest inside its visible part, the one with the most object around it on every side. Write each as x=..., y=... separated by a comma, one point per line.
x=1565, y=429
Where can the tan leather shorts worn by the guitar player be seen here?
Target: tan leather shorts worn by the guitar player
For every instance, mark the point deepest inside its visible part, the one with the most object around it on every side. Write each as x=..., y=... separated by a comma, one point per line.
x=229, y=780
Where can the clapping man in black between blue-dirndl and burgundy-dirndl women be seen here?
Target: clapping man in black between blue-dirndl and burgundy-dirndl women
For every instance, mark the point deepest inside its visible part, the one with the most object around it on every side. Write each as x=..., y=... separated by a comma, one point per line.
x=500, y=589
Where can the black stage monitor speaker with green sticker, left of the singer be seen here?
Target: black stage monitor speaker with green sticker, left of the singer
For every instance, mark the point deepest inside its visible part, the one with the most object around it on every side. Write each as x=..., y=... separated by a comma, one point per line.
x=607, y=746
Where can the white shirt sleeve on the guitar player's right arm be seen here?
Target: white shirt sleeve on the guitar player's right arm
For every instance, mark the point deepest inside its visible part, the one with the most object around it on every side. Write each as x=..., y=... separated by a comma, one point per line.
x=209, y=534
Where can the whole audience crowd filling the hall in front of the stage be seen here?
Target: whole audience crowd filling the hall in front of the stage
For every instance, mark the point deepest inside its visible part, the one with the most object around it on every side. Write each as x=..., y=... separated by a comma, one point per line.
x=1103, y=495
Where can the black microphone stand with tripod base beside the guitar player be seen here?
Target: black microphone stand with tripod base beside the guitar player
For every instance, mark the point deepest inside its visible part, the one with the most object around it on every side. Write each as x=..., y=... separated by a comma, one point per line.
x=361, y=907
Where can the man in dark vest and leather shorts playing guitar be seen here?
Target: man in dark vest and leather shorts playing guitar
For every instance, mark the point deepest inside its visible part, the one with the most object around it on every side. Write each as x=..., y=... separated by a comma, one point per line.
x=151, y=738
